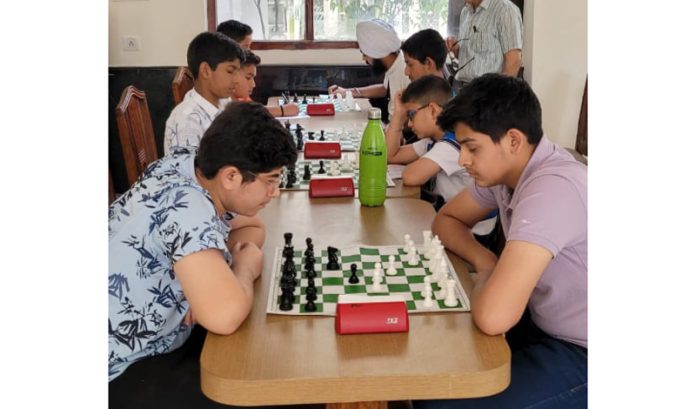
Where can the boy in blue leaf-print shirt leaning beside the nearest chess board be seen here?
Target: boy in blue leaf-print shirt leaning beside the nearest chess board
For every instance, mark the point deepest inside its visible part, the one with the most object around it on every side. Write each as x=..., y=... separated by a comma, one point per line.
x=176, y=259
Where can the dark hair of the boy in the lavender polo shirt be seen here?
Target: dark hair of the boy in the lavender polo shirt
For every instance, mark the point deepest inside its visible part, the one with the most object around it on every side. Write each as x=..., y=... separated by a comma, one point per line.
x=492, y=104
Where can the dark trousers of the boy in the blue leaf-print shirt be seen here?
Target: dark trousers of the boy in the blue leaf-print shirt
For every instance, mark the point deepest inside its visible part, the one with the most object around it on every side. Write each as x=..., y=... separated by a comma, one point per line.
x=168, y=381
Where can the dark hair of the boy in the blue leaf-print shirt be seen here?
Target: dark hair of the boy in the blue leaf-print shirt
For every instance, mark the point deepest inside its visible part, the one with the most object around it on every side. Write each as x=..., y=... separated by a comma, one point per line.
x=246, y=136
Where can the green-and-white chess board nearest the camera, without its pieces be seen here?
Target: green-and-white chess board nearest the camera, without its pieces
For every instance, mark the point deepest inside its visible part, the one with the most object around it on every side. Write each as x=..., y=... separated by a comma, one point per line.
x=408, y=282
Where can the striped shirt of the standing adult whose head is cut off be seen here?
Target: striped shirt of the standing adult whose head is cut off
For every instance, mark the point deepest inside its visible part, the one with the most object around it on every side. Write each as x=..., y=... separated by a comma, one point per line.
x=485, y=35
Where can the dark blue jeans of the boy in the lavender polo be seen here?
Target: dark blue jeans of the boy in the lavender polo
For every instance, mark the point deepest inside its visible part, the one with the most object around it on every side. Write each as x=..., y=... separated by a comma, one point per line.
x=545, y=373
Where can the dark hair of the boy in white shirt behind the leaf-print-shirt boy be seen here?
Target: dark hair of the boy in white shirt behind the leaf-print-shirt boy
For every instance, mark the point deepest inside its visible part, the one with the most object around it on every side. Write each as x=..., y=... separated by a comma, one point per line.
x=213, y=48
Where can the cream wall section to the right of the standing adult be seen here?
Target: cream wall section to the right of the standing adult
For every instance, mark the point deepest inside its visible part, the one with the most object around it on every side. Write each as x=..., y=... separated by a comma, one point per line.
x=555, y=62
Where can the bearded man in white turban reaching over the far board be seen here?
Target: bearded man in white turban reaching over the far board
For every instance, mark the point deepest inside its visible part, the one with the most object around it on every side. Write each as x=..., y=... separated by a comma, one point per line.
x=380, y=48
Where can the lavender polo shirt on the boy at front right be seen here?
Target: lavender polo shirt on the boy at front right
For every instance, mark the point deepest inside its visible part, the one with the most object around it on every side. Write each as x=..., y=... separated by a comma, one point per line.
x=549, y=208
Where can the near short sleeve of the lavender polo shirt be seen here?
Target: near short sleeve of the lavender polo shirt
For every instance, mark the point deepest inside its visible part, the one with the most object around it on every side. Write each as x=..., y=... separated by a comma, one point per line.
x=550, y=213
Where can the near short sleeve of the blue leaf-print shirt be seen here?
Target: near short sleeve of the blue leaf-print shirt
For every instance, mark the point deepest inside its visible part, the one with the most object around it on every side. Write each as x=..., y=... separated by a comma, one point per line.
x=189, y=224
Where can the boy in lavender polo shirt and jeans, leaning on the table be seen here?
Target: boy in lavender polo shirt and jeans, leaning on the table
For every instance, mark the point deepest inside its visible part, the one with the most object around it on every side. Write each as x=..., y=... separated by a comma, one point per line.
x=536, y=292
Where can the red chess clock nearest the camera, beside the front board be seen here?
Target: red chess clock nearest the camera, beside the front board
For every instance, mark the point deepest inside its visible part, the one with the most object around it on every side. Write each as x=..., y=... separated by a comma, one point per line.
x=361, y=314
